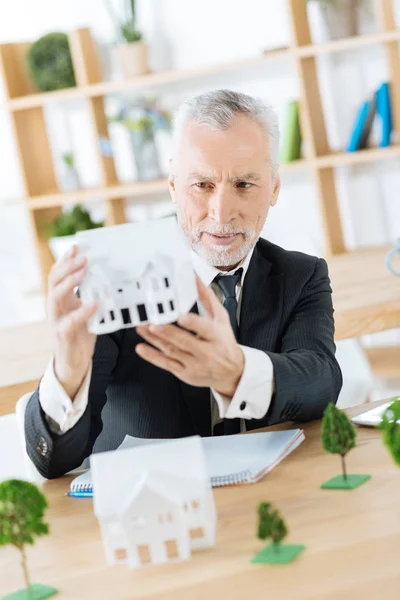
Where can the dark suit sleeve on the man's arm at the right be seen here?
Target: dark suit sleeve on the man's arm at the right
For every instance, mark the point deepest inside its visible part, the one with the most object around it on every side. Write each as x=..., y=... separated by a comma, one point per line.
x=307, y=374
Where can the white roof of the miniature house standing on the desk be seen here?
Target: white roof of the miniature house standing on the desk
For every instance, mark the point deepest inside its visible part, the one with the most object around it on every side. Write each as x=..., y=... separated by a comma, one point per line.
x=178, y=465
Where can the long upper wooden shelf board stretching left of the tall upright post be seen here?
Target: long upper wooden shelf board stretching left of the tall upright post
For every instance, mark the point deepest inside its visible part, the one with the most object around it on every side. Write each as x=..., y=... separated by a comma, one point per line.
x=142, y=82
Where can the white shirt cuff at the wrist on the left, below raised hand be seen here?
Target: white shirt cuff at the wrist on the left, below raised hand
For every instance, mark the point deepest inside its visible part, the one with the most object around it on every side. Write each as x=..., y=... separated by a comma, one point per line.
x=61, y=413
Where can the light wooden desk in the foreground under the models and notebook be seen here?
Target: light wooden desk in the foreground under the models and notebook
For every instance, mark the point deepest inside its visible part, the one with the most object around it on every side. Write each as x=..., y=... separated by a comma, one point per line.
x=352, y=539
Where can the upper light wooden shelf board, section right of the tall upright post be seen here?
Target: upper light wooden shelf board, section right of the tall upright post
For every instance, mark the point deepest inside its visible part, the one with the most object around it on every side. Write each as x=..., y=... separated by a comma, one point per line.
x=352, y=43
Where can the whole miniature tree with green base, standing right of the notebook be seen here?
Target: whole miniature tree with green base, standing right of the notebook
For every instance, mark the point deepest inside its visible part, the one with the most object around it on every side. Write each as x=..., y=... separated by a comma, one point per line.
x=339, y=437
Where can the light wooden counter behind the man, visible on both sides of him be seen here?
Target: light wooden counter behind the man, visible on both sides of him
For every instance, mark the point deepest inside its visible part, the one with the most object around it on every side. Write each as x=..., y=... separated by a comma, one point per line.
x=366, y=299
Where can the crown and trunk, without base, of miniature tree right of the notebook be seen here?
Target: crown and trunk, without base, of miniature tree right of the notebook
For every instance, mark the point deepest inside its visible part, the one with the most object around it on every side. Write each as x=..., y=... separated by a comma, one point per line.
x=338, y=434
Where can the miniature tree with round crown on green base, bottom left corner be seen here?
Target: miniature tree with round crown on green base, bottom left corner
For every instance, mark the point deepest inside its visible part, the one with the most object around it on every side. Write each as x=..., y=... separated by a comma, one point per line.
x=22, y=508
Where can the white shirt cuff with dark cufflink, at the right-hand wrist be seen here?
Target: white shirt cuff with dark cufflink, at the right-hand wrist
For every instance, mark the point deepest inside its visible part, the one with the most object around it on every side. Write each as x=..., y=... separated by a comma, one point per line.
x=254, y=392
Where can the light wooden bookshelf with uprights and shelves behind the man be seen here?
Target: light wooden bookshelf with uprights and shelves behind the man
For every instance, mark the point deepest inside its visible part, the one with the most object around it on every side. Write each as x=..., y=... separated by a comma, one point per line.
x=26, y=109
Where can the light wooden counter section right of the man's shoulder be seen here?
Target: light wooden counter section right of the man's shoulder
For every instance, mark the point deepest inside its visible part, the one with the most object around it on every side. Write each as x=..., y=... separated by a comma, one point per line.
x=366, y=296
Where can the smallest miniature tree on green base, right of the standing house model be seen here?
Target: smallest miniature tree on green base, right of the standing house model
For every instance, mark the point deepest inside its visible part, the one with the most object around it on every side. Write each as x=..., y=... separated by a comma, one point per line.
x=271, y=525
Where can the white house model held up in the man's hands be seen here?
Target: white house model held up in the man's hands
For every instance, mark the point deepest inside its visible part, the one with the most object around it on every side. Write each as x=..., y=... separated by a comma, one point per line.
x=138, y=273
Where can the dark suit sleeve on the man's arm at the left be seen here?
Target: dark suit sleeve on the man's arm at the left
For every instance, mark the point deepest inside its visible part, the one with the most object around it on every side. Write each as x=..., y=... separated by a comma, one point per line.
x=54, y=455
